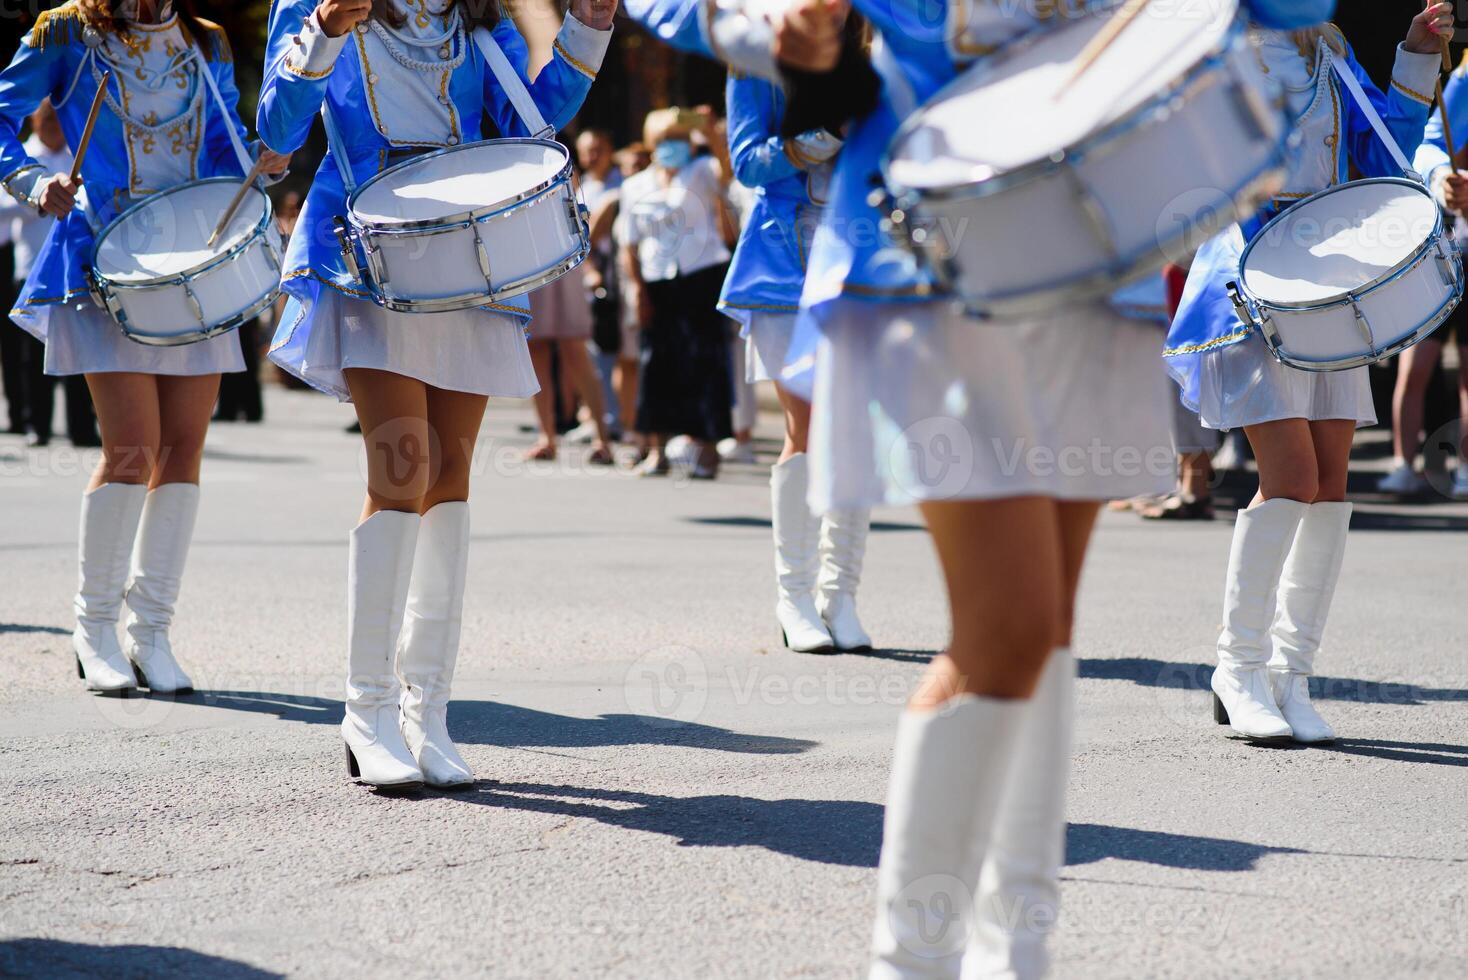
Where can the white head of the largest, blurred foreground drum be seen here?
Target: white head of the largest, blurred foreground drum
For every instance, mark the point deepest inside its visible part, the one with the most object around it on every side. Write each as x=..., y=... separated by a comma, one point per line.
x=1006, y=114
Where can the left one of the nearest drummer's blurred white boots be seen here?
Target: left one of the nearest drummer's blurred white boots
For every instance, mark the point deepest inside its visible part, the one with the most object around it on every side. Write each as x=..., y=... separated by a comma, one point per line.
x=949, y=771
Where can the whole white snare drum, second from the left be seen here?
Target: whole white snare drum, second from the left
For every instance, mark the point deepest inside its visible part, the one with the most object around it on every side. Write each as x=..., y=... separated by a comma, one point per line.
x=462, y=228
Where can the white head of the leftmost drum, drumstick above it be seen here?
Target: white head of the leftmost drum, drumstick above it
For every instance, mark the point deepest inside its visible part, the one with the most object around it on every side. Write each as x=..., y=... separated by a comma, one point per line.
x=168, y=234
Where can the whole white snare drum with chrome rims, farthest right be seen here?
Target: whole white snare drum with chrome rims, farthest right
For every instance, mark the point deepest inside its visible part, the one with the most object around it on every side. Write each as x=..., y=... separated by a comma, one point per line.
x=1350, y=277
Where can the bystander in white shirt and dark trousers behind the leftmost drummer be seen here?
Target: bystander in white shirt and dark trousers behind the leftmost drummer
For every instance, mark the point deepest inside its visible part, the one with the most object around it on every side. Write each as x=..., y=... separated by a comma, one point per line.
x=30, y=230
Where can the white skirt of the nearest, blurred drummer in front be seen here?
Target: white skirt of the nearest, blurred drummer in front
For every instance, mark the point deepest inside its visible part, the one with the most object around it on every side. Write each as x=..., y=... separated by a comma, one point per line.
x=920, y=403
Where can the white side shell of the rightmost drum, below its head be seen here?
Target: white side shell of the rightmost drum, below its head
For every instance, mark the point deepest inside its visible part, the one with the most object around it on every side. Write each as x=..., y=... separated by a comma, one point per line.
x=1401, y=312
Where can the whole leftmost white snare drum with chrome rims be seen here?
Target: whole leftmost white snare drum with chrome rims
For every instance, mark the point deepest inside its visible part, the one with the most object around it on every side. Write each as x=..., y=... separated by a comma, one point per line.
x=158, y=277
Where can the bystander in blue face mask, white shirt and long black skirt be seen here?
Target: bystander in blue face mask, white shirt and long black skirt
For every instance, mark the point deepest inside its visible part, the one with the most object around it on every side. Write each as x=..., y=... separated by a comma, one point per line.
x=676, y=230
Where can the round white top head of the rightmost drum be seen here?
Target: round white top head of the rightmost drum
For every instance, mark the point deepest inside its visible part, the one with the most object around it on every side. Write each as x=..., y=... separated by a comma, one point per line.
x=1340, y=241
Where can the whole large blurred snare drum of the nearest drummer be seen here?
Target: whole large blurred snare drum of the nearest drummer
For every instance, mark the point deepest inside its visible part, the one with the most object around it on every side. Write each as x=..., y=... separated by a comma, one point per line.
x=1021, y=196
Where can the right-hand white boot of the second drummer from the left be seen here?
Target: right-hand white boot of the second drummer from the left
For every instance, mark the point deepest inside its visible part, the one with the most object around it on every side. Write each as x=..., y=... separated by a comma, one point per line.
x=429, y=646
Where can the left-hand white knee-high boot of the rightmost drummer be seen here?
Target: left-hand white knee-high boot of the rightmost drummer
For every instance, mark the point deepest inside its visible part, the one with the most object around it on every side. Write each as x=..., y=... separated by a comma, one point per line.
x=1241, y=684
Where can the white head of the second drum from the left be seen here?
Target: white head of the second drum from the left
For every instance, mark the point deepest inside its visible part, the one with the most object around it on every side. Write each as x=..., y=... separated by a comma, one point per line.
x=465, y=180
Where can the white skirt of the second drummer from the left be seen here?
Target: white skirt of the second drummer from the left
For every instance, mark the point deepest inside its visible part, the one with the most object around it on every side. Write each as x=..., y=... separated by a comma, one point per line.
x=473, y=351
